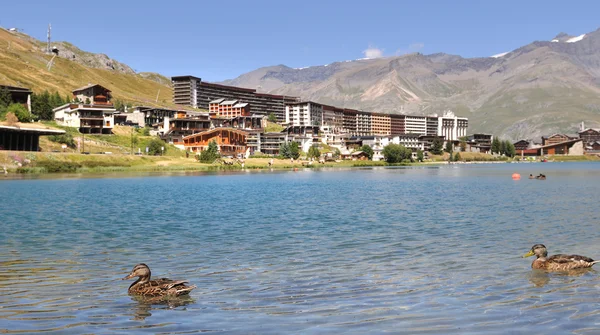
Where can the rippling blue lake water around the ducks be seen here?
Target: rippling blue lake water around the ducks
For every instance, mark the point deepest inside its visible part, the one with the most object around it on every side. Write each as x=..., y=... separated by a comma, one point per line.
x=402, y=250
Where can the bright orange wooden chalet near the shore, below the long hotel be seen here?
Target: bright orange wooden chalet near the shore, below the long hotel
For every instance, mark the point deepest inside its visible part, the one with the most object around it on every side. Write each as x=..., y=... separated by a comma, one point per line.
x=230, y=141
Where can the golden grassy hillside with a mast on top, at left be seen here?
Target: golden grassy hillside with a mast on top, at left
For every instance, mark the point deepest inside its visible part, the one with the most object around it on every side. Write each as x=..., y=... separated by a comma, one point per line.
x=23, y=62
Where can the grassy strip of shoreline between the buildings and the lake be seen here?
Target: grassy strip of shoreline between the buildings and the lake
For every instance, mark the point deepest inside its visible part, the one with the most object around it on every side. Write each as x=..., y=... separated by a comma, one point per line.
x=14, y=164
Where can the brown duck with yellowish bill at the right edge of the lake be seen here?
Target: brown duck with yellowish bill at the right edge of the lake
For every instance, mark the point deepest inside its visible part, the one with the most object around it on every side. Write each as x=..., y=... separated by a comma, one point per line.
x=557, y=262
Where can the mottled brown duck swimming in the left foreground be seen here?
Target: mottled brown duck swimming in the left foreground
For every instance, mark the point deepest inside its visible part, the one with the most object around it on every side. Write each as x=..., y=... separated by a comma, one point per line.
x=163, y=287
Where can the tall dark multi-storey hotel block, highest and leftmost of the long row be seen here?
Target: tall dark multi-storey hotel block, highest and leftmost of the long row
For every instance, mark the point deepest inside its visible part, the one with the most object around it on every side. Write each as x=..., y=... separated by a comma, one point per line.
x=192, y=91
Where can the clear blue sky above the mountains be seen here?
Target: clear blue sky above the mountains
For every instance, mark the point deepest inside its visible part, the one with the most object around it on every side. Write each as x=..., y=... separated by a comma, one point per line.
x=218, y=40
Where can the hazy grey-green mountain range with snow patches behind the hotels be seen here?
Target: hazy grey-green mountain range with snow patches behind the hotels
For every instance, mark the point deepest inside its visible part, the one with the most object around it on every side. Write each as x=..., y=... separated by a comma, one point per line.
x=541, y=88
